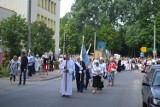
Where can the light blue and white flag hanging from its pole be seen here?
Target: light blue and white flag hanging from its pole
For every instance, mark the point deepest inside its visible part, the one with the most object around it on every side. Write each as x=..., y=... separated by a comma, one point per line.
x=84, y=55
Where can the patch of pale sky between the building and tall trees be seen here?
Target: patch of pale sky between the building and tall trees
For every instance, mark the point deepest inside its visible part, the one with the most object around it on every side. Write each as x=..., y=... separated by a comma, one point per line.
x=65, y=7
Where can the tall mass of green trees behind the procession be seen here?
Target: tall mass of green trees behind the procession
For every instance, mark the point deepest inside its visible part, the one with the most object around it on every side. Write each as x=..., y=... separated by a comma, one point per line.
x=125, y=25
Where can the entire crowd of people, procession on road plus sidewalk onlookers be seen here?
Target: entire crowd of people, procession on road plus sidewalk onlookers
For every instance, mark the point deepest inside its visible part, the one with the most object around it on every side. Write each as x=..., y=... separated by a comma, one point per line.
x=72, y=67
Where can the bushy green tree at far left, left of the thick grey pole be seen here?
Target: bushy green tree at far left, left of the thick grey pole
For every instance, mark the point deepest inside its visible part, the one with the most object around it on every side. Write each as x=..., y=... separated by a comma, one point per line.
x=12, y=31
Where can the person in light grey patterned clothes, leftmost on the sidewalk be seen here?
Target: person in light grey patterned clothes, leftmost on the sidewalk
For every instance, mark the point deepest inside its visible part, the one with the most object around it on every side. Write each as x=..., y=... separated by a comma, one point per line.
x=13, y=68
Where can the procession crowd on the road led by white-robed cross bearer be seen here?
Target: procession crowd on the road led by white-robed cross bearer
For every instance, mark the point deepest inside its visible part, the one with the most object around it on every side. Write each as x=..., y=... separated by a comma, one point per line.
x=97, y=72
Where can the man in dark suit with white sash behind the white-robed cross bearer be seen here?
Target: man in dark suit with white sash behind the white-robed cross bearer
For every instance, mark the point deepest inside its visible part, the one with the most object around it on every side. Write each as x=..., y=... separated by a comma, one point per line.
x=79, y=68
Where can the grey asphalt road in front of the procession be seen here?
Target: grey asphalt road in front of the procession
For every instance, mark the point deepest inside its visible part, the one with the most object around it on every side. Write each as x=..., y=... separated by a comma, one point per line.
x=125, y=93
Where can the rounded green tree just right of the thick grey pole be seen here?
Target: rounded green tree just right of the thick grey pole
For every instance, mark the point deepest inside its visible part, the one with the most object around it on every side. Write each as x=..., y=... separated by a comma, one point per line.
x=42, y=38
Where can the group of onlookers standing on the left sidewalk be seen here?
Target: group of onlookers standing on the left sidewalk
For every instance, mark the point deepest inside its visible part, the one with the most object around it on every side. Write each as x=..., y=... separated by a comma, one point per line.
x=28, y=64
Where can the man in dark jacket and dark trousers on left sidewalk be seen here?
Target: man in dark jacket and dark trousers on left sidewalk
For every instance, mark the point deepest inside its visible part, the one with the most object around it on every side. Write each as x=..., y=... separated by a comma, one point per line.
x=23, y=68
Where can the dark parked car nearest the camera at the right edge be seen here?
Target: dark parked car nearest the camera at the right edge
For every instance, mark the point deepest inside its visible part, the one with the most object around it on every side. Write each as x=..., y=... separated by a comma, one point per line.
x=151, y=88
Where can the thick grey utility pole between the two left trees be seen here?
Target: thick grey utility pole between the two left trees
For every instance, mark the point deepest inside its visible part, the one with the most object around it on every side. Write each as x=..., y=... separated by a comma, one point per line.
x=29, y=27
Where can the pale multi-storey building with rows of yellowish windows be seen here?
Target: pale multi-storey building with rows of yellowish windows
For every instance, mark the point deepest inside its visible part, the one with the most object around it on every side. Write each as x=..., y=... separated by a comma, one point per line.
x=47, y=11
